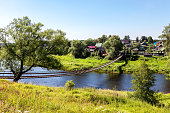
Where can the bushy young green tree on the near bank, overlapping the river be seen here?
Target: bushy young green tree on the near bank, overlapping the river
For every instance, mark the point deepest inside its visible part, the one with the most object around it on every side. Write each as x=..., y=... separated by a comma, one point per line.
x=143, y=80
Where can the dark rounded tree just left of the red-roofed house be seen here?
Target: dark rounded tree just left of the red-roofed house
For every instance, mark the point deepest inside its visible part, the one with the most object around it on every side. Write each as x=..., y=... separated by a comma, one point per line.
x=78, y=49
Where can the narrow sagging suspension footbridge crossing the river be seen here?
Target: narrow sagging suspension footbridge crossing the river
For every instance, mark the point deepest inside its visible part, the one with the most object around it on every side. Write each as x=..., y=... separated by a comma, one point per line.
x=58, y=74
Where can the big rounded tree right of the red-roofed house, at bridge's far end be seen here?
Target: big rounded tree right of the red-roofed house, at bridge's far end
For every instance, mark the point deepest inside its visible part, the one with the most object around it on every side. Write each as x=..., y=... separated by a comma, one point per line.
x=113, y=46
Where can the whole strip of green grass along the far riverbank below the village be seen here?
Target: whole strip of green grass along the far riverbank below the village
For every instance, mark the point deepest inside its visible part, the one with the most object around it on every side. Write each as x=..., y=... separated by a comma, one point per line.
x=157, y=64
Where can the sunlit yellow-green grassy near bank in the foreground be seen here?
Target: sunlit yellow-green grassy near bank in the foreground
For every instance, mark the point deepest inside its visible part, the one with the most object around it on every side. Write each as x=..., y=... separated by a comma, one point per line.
x=17, y=97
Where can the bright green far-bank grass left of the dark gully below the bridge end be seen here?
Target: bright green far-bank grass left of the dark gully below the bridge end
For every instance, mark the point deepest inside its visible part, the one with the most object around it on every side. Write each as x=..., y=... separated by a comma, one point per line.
x=72, y=64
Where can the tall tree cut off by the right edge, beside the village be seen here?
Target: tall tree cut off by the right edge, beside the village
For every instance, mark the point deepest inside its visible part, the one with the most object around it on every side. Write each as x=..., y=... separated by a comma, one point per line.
x=166, y=36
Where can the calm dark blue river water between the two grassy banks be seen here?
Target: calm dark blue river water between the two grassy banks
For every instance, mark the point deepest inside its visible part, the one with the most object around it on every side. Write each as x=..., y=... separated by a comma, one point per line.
x=96, y=80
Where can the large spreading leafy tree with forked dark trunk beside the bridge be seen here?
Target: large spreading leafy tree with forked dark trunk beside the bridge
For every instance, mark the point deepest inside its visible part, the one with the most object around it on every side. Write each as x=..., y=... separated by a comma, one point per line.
x=29, y=46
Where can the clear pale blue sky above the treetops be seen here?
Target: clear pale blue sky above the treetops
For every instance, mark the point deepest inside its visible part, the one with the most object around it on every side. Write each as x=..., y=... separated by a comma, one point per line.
x=83, y=19
